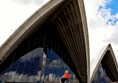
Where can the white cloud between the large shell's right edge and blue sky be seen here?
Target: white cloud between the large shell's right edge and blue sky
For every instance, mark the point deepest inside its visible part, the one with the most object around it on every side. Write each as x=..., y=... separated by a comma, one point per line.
x=99, y=26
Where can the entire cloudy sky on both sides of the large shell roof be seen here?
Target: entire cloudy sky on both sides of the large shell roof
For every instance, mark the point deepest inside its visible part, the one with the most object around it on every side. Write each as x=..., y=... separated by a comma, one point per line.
x=102, y=20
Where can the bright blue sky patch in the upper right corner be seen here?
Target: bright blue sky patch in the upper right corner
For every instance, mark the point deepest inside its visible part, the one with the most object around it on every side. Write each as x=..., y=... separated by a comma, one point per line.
x=111, y=6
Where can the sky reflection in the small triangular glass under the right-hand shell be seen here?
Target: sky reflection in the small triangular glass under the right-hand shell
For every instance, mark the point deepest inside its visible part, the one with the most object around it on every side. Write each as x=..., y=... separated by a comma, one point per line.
x=100, y=76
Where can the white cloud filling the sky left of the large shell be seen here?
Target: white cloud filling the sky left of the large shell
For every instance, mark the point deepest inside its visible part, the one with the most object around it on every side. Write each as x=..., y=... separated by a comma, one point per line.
x=13, y=14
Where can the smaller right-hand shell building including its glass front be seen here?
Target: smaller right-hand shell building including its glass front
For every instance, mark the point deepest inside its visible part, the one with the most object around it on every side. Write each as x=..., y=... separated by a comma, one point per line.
x=104, y=68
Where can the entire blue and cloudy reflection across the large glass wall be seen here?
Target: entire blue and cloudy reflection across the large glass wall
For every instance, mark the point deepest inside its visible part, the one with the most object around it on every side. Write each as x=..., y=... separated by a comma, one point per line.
x=37, y=66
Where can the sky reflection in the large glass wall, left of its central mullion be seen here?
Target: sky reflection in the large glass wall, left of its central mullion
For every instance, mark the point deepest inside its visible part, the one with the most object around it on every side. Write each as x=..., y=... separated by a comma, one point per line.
x=26, y=69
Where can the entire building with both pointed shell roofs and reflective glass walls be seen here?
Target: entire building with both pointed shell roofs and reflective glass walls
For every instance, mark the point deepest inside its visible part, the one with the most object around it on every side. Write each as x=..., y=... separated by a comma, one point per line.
x=52, y=40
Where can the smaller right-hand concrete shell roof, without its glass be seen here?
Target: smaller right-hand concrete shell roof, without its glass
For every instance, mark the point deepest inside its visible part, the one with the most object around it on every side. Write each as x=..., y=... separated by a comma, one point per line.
x=107, y=58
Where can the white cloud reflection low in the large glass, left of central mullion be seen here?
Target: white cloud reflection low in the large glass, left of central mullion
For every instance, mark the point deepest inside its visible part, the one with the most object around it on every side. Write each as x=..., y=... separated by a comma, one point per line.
x=13, y=76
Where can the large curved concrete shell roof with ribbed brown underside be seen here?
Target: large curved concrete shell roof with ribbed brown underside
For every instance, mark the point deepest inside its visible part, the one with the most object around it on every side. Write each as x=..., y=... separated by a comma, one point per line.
x=68, y=17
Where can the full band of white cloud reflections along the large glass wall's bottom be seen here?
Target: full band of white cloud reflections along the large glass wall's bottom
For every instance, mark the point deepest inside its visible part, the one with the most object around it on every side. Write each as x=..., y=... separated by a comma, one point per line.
x=13, y=76
